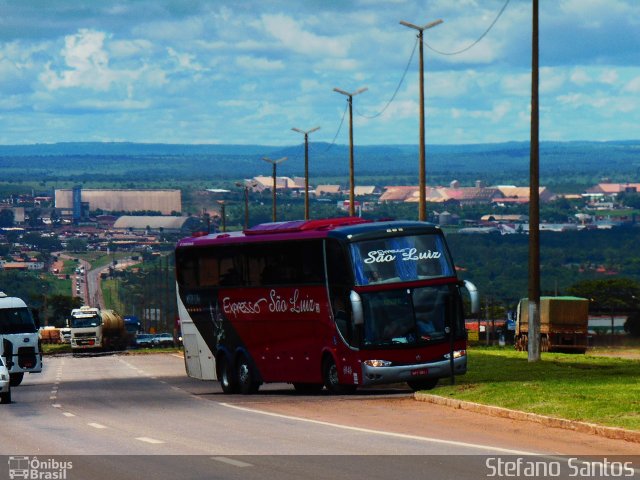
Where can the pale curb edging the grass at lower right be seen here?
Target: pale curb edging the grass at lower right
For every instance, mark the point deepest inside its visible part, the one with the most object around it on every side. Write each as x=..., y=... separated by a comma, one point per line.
x=582, y=427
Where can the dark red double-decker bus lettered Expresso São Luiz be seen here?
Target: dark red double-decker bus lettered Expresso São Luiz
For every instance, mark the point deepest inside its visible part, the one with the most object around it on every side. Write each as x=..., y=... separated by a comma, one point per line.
x=339, y=303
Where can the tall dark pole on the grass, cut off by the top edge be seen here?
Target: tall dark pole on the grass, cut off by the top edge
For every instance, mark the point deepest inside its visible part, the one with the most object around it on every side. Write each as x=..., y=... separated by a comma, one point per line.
x=534, y=201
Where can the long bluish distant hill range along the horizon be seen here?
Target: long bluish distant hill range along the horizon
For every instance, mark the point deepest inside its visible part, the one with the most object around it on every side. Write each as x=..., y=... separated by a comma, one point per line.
x=581, y=162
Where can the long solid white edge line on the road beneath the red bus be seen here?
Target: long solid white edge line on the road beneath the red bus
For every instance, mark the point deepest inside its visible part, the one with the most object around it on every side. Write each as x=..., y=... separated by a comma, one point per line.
x=508, y=451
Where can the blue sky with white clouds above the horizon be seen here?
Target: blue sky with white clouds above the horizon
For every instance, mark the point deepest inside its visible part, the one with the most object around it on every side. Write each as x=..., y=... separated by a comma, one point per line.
x=247, y=71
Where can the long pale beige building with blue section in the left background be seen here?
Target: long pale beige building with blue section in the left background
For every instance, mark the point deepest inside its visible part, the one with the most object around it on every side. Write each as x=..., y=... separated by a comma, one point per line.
x=120, y=200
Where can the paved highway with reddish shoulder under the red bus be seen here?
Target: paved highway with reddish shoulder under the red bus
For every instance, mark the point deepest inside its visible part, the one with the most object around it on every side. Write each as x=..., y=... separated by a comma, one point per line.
x=139, y=416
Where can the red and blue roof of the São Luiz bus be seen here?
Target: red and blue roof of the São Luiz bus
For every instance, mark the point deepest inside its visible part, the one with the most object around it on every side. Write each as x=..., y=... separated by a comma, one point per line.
x=352, y=228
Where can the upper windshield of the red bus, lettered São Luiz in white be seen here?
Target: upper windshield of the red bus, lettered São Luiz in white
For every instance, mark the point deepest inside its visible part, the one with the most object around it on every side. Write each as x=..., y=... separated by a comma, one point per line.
x=400, y=259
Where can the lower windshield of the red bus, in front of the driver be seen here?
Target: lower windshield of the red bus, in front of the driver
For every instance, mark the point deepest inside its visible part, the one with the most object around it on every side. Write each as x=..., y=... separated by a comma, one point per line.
x=410, y=316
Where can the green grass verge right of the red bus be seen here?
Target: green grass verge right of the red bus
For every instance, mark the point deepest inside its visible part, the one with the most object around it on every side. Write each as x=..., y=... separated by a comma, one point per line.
x=587, y=388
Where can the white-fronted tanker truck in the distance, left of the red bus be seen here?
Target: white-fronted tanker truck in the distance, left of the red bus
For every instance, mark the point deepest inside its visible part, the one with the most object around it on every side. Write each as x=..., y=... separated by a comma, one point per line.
x=93, y=329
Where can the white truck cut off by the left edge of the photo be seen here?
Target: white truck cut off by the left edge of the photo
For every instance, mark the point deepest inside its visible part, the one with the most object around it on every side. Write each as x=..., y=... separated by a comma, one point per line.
x=19, y=340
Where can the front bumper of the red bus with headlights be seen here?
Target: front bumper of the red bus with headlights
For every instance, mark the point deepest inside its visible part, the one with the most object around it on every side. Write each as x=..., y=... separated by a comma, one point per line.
x=373, y=374
